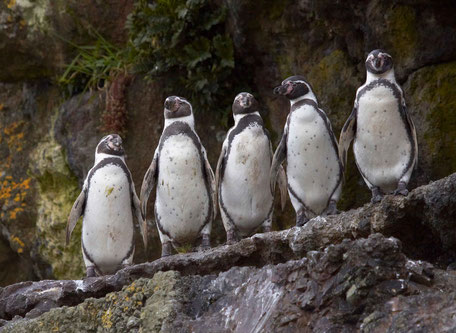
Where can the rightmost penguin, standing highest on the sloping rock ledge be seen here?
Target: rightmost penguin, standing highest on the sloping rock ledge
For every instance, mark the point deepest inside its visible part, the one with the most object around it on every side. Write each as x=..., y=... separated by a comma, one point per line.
x=385, y=144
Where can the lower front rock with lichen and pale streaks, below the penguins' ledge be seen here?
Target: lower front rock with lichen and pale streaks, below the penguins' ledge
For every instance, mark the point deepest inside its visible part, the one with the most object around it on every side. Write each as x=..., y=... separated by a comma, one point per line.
x=356, y=285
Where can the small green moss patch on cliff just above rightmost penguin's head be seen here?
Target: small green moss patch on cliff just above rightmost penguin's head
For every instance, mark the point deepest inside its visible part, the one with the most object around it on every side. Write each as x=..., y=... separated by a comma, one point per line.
x=402, y=27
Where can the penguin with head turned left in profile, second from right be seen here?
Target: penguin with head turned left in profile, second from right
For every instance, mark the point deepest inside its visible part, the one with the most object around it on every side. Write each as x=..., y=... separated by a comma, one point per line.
x=314, y=170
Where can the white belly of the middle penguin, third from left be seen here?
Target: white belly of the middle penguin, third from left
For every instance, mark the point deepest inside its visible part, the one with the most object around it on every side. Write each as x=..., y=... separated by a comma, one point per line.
x=245, y=185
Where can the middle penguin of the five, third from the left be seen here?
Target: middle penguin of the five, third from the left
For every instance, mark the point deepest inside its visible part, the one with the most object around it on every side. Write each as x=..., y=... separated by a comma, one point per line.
x=242, y=173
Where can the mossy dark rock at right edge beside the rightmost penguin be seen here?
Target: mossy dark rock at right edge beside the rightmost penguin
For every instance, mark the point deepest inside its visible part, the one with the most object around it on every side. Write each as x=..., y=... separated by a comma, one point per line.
x=432, y=96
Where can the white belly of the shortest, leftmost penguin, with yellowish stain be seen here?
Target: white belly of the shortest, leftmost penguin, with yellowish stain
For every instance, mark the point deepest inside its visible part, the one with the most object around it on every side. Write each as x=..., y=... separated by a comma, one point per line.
x=107, y=231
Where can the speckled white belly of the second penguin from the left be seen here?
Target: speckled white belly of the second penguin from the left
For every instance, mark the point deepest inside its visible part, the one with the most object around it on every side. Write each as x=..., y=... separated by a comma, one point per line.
x=182, y=200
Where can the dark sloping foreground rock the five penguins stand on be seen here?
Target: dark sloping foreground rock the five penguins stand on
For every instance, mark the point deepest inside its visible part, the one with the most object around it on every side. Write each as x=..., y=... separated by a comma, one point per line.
x=290, y=280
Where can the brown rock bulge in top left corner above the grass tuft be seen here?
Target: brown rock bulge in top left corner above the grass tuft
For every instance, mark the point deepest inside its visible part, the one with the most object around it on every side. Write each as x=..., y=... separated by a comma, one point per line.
x=34, y=35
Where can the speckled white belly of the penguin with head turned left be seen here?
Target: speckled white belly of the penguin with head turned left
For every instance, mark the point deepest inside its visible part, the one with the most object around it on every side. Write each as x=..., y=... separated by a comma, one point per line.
x=312, y=163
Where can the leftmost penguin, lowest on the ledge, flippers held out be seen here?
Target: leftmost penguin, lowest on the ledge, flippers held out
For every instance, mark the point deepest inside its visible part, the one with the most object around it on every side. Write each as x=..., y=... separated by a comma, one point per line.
x=108, y=202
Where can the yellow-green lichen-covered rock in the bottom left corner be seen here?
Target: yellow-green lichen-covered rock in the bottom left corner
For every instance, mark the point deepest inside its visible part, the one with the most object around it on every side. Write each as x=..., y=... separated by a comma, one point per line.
x=149, y=303
